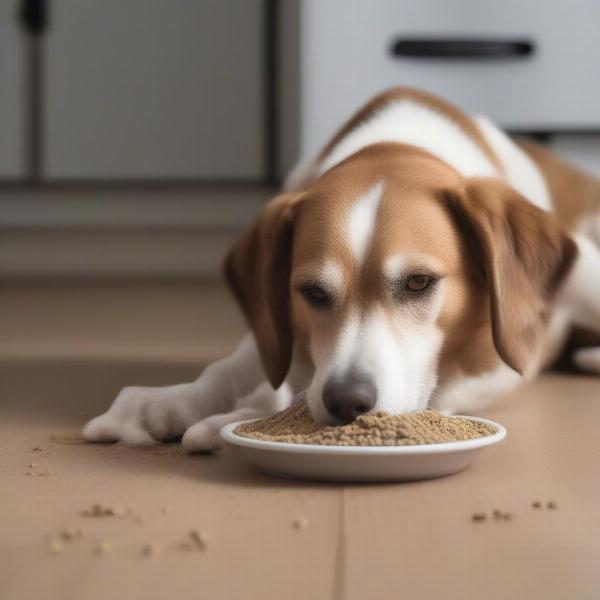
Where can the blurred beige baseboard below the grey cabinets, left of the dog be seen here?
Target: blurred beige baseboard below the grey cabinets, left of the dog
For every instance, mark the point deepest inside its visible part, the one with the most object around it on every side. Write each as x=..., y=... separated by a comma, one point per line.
x=178, y=232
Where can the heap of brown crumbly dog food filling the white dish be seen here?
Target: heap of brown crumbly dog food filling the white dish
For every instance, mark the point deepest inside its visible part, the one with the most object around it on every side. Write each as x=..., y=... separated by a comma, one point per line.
x=295, y=425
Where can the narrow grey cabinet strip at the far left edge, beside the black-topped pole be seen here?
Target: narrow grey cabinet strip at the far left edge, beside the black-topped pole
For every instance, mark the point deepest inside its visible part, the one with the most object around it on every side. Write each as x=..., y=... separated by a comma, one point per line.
x=12, y=93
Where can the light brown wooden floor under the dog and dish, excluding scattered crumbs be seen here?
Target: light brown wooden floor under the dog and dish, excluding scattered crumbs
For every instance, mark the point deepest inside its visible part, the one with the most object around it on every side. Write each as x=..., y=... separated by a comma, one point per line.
x=362, y=541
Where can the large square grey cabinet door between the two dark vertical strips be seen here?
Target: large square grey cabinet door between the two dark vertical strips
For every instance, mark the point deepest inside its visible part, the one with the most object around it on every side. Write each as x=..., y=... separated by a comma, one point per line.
x=154, y=89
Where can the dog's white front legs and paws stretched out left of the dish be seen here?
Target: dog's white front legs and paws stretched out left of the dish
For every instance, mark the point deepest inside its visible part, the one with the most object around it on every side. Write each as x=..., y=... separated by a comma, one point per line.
x=230, y=389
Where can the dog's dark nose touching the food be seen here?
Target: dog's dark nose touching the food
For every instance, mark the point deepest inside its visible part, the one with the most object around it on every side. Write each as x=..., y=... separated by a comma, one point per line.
x=349, y=398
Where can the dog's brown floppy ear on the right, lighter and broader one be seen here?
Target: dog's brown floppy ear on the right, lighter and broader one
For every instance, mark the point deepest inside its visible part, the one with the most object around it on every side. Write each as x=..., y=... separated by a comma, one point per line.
x=524, y=255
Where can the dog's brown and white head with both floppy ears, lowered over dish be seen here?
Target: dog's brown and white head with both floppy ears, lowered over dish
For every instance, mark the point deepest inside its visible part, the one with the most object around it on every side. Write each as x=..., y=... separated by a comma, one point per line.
x=392, y=270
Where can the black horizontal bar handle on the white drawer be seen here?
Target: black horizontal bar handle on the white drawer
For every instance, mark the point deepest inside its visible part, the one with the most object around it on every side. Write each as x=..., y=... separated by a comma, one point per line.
x=470, y=49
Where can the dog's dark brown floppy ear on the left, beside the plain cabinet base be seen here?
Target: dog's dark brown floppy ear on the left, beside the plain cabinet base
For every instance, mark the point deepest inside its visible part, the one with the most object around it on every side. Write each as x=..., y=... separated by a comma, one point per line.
x=257, y=270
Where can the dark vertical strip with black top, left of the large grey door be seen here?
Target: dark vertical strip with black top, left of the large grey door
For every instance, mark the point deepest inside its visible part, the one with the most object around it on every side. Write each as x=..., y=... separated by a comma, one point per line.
x=34, y=19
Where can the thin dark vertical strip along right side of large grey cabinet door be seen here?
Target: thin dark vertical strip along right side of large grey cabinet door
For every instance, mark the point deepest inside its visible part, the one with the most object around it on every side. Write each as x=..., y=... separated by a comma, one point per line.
x=271, y=83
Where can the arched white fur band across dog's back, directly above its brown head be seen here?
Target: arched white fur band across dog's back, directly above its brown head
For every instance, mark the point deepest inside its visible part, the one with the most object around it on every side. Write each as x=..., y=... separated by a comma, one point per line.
x=408, y=122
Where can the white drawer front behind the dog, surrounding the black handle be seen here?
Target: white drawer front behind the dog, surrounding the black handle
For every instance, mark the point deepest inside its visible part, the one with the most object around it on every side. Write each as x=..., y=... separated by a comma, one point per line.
x=346, y=58
